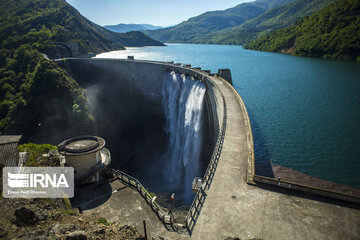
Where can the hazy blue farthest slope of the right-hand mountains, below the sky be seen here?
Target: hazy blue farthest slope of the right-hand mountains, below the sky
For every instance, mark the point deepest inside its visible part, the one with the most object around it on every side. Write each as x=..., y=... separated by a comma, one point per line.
x=213, y=21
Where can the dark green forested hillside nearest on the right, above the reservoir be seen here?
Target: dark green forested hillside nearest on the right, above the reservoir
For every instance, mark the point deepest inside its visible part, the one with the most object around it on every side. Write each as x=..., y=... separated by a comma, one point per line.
x=332, y=32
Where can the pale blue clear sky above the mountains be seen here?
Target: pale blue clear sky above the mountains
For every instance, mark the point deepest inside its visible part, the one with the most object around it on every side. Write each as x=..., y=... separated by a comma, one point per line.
x=156, y=12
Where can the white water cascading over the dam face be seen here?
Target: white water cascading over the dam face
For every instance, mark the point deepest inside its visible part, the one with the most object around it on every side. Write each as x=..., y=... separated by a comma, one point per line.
x=182, y=102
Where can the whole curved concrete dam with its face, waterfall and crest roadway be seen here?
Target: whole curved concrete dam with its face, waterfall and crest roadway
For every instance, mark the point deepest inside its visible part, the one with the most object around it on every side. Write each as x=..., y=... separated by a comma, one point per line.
x=134, y=105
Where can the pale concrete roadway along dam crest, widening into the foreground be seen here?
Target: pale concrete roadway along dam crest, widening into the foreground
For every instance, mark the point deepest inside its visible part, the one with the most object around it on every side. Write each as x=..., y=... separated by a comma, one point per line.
x=235, y=209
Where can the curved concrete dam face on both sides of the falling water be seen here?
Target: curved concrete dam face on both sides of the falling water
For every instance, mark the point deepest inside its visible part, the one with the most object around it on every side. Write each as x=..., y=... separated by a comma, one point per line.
x=145, y=78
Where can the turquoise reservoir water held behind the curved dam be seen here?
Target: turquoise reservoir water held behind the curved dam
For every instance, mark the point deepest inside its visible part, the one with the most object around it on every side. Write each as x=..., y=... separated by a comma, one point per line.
x=304, y=112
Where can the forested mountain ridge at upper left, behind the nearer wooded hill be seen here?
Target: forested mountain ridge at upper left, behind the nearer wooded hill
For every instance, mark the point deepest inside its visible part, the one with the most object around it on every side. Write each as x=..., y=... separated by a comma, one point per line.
x=59, y=22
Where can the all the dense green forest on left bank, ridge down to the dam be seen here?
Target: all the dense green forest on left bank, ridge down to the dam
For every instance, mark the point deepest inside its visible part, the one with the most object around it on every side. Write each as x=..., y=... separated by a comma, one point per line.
x=36, y=93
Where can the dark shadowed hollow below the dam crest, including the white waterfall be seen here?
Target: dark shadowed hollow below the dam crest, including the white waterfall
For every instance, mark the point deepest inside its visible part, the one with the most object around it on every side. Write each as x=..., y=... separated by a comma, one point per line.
x=153, y=120
